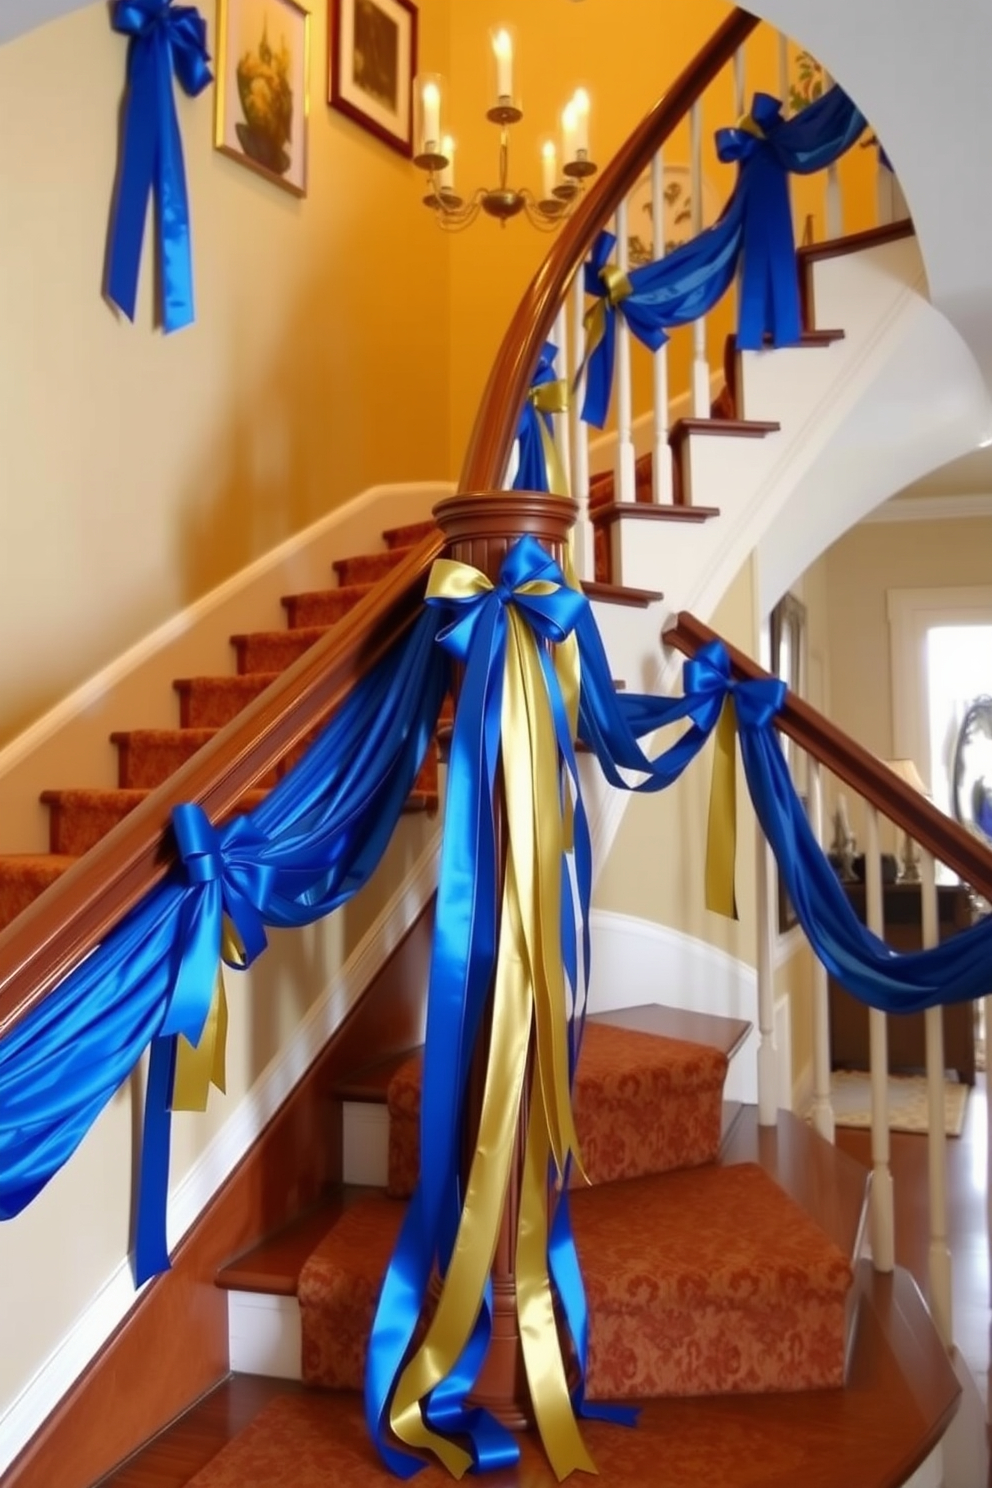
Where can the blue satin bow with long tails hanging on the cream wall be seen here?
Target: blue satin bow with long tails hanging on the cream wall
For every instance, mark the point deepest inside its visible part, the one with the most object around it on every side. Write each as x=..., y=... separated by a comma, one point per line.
x=164, y=41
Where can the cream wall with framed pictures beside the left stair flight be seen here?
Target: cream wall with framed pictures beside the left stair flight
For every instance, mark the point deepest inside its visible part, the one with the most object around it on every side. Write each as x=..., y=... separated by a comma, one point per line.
x=141, y=471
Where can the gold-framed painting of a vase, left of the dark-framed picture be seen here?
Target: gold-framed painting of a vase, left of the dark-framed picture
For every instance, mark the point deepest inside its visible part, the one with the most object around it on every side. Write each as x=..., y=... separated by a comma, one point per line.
x=264, y=90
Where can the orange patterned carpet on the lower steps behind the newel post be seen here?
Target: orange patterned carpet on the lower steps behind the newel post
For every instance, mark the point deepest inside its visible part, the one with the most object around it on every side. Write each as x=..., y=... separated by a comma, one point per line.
x=703, y=1279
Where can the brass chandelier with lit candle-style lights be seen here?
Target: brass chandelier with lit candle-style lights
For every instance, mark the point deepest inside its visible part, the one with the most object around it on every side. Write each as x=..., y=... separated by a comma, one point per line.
x=437, y=154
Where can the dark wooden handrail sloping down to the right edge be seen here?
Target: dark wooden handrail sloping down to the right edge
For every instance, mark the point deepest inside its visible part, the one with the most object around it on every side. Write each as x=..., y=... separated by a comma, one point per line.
x=851, y=763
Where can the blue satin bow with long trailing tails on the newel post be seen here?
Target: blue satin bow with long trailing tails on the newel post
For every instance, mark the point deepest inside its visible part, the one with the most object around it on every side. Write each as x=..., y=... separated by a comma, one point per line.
x=462, y=974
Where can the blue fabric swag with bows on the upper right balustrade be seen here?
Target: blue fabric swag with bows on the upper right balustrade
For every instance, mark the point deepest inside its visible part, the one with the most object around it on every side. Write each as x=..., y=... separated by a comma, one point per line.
x=755, y=231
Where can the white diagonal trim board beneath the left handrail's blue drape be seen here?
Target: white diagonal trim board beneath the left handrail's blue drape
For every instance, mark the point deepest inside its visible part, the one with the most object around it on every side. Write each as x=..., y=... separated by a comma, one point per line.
x=112, y=1304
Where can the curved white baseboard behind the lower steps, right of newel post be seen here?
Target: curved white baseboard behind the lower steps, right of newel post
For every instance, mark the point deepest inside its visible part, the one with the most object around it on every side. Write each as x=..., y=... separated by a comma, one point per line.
x=637, y=962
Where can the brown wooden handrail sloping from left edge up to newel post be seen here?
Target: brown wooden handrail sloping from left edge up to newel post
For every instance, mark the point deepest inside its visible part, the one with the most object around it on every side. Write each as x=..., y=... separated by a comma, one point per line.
x=77, y=913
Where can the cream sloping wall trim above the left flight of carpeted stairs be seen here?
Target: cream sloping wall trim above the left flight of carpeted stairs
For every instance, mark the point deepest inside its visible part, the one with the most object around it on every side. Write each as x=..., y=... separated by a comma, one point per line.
x=91, y=693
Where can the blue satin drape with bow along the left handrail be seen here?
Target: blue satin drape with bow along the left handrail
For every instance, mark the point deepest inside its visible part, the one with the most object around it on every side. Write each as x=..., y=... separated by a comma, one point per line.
x=306, y=850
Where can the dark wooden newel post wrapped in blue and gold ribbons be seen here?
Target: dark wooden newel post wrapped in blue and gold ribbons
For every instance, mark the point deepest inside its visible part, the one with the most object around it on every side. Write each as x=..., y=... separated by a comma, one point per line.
x=481, y=530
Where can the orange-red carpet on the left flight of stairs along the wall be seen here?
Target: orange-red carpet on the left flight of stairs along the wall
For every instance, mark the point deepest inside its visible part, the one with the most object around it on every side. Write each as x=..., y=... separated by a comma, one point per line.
x=146, y=758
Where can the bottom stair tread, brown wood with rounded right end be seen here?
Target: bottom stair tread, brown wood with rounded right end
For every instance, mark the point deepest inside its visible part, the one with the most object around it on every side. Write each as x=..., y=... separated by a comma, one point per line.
x=902, y=1394
